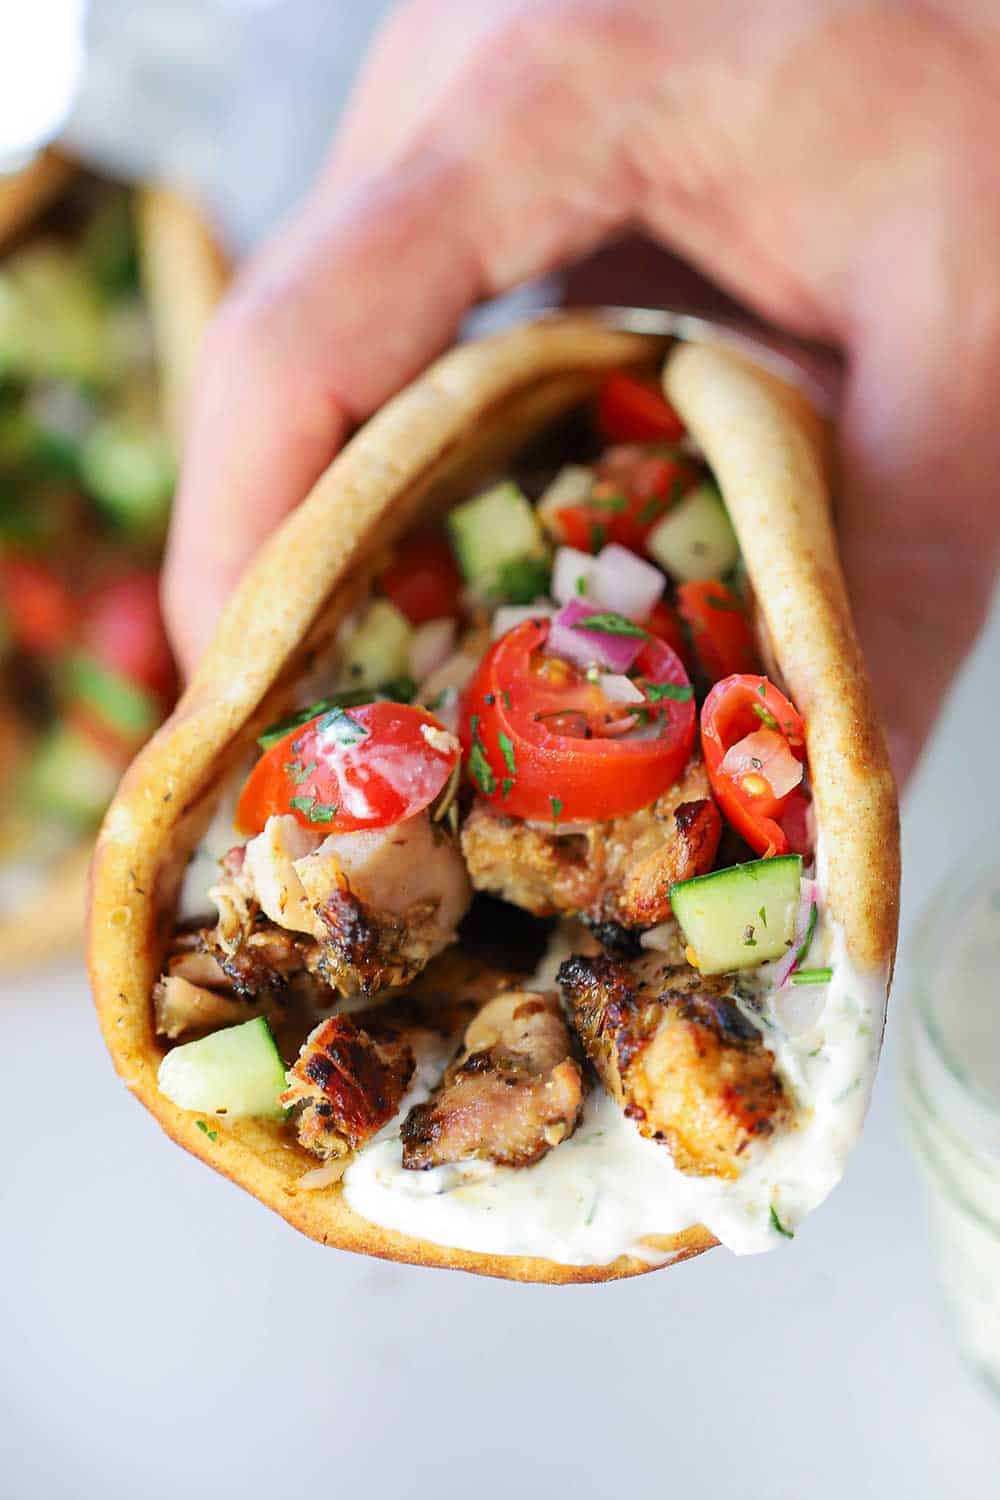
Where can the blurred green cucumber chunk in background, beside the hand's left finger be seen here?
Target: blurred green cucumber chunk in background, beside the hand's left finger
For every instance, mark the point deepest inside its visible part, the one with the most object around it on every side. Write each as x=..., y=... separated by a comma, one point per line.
x=130, y=470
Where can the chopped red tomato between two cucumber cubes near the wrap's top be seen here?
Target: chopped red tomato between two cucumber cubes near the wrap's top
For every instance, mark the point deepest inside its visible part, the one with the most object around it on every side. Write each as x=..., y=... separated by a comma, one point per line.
x=633, y=488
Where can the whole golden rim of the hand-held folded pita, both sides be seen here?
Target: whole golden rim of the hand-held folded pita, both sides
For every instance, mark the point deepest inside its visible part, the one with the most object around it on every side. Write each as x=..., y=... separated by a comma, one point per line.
x=458, y=422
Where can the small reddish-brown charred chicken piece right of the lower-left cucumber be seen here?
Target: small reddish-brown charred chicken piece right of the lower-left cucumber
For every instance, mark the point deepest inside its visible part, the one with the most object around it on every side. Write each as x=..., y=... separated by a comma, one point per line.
x=350, y=1079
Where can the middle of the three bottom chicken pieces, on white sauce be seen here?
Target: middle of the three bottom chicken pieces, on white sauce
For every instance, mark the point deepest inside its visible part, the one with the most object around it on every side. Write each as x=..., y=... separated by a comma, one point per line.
x=512, y=1094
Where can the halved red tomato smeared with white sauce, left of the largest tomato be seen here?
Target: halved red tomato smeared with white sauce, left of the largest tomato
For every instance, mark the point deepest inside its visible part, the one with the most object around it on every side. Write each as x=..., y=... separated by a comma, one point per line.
x=352, y=769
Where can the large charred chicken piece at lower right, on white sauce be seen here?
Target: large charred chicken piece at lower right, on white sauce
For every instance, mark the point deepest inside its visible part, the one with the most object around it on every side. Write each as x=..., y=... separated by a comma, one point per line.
x=680, y=1057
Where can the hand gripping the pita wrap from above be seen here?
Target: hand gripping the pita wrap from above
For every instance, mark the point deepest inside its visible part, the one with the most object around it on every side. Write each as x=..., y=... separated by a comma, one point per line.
x=833, y=167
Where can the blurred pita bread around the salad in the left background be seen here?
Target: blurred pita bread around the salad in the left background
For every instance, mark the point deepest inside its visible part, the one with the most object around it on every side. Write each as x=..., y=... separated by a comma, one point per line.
x=184, y=277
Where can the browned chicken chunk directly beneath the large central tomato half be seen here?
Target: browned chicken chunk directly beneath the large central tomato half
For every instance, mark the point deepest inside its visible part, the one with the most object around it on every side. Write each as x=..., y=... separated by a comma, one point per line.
x=618, y=872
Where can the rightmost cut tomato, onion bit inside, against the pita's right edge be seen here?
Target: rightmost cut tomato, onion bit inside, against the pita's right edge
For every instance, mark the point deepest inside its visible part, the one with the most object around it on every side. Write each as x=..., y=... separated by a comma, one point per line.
x=737, y=709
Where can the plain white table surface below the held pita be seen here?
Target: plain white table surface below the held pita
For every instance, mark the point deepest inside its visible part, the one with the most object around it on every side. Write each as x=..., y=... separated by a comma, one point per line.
x=166, y=1336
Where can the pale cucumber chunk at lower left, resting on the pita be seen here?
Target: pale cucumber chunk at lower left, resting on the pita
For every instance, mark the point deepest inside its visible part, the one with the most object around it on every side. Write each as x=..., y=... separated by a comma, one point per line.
x=235, y=1072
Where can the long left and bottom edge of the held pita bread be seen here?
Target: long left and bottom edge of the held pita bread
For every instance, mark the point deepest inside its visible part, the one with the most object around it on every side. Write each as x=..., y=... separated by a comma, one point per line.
x=478, y=403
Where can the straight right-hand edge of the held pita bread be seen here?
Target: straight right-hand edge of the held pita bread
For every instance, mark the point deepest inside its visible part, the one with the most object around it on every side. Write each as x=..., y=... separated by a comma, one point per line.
x=771, y=457
